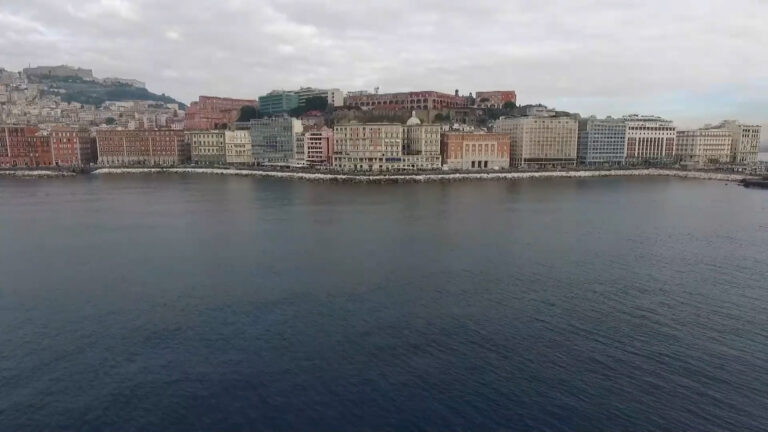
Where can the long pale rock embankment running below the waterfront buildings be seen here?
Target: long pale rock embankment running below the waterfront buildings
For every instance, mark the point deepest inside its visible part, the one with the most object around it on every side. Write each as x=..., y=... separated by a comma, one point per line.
x=411, y=178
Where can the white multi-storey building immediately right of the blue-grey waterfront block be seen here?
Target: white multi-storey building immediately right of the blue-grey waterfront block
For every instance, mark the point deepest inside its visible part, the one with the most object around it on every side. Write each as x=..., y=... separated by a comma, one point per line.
x=649, y=139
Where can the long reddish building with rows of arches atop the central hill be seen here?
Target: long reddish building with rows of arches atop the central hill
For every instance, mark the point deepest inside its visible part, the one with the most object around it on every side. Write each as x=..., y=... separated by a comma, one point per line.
x=421, y=100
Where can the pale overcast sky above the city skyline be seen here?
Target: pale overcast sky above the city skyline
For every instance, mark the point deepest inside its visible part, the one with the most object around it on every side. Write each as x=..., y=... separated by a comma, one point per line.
x=692, y=61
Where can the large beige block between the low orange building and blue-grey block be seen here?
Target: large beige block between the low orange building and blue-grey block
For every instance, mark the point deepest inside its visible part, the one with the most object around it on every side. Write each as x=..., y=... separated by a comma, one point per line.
x=546, y=139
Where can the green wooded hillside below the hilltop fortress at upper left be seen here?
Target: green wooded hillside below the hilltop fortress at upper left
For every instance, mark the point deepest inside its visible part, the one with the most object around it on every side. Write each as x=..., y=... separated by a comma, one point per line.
x=76, y=89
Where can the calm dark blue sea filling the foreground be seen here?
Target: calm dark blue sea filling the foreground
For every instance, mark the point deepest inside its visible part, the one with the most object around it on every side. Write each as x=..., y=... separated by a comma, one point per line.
x=165, y=302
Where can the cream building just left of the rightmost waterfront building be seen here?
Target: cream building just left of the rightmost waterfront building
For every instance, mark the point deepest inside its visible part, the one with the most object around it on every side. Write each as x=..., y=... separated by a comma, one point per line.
x=703, y=146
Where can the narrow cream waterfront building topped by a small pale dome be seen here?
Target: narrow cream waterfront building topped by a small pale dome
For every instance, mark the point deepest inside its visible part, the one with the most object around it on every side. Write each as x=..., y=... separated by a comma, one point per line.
x=421, y=145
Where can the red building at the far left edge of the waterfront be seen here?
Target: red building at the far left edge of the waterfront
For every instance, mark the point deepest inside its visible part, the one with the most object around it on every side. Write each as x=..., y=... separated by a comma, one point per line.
x=21, y=146
